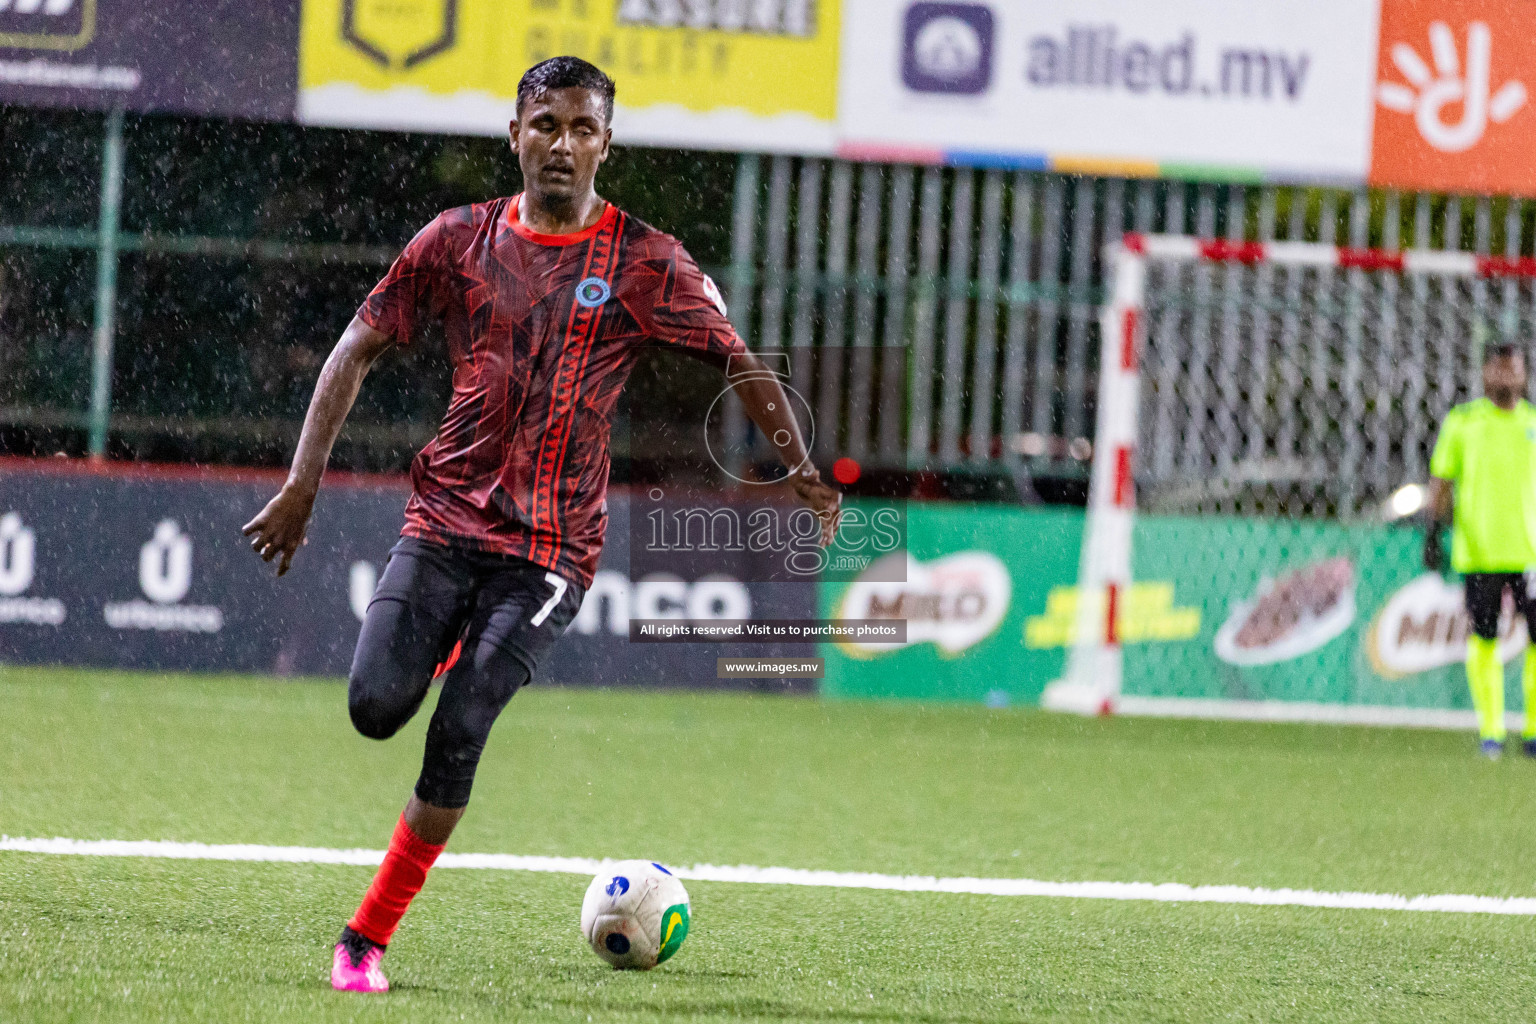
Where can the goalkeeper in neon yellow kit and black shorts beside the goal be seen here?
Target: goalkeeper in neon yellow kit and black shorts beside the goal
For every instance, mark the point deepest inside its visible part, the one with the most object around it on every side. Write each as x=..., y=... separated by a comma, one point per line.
x=1485, y=486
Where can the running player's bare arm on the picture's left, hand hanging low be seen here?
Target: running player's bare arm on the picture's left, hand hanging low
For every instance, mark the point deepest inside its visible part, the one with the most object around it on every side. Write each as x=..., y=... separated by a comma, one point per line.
x=279, y=530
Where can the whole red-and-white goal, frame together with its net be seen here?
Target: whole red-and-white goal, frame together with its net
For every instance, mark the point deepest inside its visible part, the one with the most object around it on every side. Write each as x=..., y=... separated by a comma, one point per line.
x=1266, y=415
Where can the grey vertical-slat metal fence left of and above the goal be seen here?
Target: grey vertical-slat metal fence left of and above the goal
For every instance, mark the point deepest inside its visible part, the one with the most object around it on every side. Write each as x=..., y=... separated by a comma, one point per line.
x=988, y=283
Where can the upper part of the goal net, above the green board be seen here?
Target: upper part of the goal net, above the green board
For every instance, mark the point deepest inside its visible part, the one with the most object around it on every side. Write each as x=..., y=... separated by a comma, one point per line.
x=1308, y=392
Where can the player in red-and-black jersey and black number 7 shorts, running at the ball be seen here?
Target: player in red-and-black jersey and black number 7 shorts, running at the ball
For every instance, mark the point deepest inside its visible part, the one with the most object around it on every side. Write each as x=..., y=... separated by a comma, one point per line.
x=546, y=300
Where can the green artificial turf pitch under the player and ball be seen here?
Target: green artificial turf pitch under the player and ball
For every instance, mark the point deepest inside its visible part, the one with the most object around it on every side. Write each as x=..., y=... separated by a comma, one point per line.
x=753, y=781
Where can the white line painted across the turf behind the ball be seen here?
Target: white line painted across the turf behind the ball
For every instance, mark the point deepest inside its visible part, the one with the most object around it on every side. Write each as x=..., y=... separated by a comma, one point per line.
x=1154, y=893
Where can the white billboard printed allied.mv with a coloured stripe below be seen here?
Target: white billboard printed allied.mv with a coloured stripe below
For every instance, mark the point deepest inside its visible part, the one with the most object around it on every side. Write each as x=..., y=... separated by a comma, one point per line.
x=1176, y=87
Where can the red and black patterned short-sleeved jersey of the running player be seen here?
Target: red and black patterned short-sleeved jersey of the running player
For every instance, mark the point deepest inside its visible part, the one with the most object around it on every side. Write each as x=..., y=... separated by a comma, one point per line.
x=543, y=332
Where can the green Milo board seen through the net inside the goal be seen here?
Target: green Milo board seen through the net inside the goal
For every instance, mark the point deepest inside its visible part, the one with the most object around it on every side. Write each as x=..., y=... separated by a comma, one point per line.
x=1306, y=612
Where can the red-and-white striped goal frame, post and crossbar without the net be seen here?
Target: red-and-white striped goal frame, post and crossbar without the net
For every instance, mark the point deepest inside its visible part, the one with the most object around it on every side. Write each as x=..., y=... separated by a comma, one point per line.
x=1094, y=672
